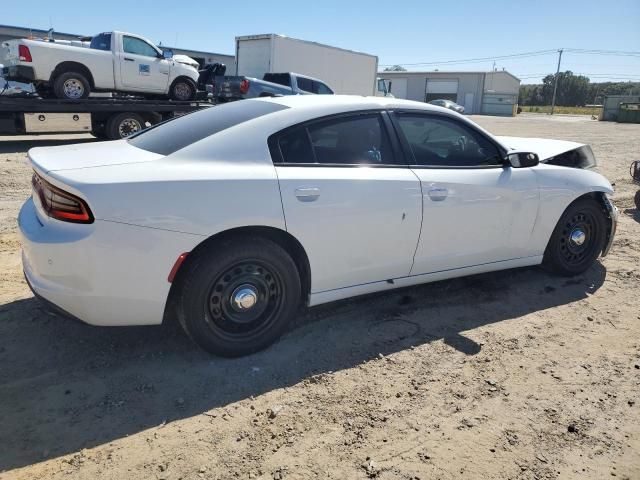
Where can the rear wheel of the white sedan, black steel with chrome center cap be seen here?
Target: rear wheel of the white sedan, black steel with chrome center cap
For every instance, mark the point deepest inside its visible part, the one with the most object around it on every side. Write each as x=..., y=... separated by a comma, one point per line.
x=239, y=297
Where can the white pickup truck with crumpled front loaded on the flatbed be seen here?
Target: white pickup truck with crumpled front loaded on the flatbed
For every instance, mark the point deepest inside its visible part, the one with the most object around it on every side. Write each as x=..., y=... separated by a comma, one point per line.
x=114, y=61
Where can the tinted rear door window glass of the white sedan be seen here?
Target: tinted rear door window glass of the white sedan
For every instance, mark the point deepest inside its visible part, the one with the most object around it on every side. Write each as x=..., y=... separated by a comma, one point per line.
x=354, y=140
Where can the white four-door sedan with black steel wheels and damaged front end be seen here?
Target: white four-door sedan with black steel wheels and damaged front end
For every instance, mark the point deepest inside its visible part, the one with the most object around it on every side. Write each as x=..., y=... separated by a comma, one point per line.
x=234, y=216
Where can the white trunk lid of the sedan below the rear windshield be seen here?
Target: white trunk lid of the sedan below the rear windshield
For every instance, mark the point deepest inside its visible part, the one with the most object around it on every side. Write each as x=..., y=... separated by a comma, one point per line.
x=87, y=155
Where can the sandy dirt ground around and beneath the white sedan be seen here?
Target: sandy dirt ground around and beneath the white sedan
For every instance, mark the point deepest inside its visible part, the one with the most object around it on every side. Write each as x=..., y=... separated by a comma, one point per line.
x=515, y=374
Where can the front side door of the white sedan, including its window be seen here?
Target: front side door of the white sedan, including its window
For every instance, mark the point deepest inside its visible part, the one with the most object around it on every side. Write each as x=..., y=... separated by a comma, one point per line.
x=475, y=209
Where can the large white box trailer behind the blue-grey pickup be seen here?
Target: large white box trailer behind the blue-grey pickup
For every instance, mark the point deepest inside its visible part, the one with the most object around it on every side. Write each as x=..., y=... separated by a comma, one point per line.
x=345, y=71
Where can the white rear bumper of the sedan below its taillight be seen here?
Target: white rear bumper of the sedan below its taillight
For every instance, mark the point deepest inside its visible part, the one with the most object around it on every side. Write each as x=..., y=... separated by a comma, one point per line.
x=105, y=273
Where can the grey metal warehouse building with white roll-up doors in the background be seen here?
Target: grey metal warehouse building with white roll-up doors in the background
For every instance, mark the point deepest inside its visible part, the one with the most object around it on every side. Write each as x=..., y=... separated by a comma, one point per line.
x=488, y=93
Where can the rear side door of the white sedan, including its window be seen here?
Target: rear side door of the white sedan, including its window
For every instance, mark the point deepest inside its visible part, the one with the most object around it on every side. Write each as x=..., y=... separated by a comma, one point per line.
x=356, y=211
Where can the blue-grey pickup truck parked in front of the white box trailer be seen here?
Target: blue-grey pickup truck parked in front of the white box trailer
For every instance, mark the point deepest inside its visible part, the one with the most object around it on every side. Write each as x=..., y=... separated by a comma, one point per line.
x=228, y=88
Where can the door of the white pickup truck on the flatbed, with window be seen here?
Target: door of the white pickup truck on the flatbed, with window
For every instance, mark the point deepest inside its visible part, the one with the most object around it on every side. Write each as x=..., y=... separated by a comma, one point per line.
x=141, y=67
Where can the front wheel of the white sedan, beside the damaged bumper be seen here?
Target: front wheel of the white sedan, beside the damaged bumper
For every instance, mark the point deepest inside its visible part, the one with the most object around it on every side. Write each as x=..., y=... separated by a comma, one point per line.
x=578, y=238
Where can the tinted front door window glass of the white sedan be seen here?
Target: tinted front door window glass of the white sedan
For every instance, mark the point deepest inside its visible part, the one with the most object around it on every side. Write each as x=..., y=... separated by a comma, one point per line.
x=438, y=141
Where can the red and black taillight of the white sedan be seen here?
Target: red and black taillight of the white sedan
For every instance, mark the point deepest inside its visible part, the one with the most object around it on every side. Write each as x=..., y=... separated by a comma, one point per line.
x=59, y=204
